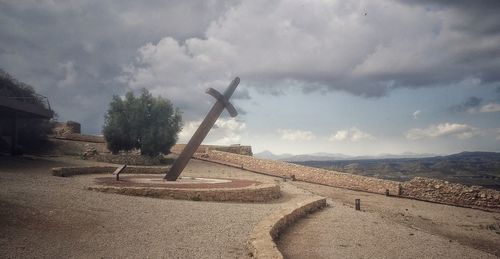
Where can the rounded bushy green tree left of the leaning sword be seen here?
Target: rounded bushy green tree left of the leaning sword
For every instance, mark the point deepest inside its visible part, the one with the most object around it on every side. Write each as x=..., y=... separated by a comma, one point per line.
x=145, y=122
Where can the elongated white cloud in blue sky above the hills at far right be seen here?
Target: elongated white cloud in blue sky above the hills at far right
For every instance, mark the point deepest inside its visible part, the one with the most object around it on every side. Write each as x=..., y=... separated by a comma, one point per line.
x=462, y=131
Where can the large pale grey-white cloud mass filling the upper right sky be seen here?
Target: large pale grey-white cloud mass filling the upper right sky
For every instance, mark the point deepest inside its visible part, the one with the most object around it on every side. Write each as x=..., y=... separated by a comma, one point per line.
x=333, y=46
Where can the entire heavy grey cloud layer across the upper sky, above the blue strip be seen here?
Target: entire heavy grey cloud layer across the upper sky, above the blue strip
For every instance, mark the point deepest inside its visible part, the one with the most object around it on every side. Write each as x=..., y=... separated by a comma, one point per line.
x=80, y=53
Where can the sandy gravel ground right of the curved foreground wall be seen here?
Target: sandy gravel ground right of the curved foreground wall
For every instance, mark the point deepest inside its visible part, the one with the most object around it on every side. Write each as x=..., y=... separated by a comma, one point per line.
x=389, y=227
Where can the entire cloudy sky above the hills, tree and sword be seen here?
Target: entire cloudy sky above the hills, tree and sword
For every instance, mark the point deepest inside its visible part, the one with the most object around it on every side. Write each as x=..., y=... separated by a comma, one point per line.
x=361, y=77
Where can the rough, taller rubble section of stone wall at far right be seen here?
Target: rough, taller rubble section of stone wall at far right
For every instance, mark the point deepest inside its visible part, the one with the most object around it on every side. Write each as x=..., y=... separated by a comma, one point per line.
x=451, y=193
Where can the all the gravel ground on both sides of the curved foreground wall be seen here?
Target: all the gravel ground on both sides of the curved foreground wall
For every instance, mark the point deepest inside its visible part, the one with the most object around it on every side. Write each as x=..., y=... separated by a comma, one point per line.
x=42, y=216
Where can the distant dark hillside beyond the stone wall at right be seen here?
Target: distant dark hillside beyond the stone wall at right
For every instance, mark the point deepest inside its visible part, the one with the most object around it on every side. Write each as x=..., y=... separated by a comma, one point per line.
x=471, y=168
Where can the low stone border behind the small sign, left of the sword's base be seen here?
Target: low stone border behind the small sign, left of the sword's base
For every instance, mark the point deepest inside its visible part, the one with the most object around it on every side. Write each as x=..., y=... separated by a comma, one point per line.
x=70, y=171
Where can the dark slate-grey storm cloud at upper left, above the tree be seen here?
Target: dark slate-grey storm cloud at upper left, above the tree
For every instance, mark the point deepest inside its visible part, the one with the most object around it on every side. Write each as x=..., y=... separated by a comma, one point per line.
x=74, y=51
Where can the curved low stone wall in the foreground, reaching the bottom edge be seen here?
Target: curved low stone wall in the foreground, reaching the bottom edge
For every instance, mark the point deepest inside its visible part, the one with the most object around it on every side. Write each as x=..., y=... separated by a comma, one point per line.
x=261, y=241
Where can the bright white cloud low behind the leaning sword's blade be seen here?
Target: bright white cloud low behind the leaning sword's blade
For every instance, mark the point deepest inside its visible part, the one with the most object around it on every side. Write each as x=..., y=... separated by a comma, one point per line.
x=224, y=132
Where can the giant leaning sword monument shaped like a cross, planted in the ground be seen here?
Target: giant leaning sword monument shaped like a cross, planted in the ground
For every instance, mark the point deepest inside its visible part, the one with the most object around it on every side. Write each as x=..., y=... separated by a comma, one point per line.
x=200, y=134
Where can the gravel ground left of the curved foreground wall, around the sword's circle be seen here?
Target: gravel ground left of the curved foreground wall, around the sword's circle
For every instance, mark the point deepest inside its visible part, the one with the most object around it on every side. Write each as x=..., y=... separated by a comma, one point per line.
x=42, y=216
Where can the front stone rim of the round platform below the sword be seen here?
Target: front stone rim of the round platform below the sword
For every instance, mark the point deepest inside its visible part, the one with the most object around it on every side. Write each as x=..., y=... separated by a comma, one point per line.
x=258, y=193
